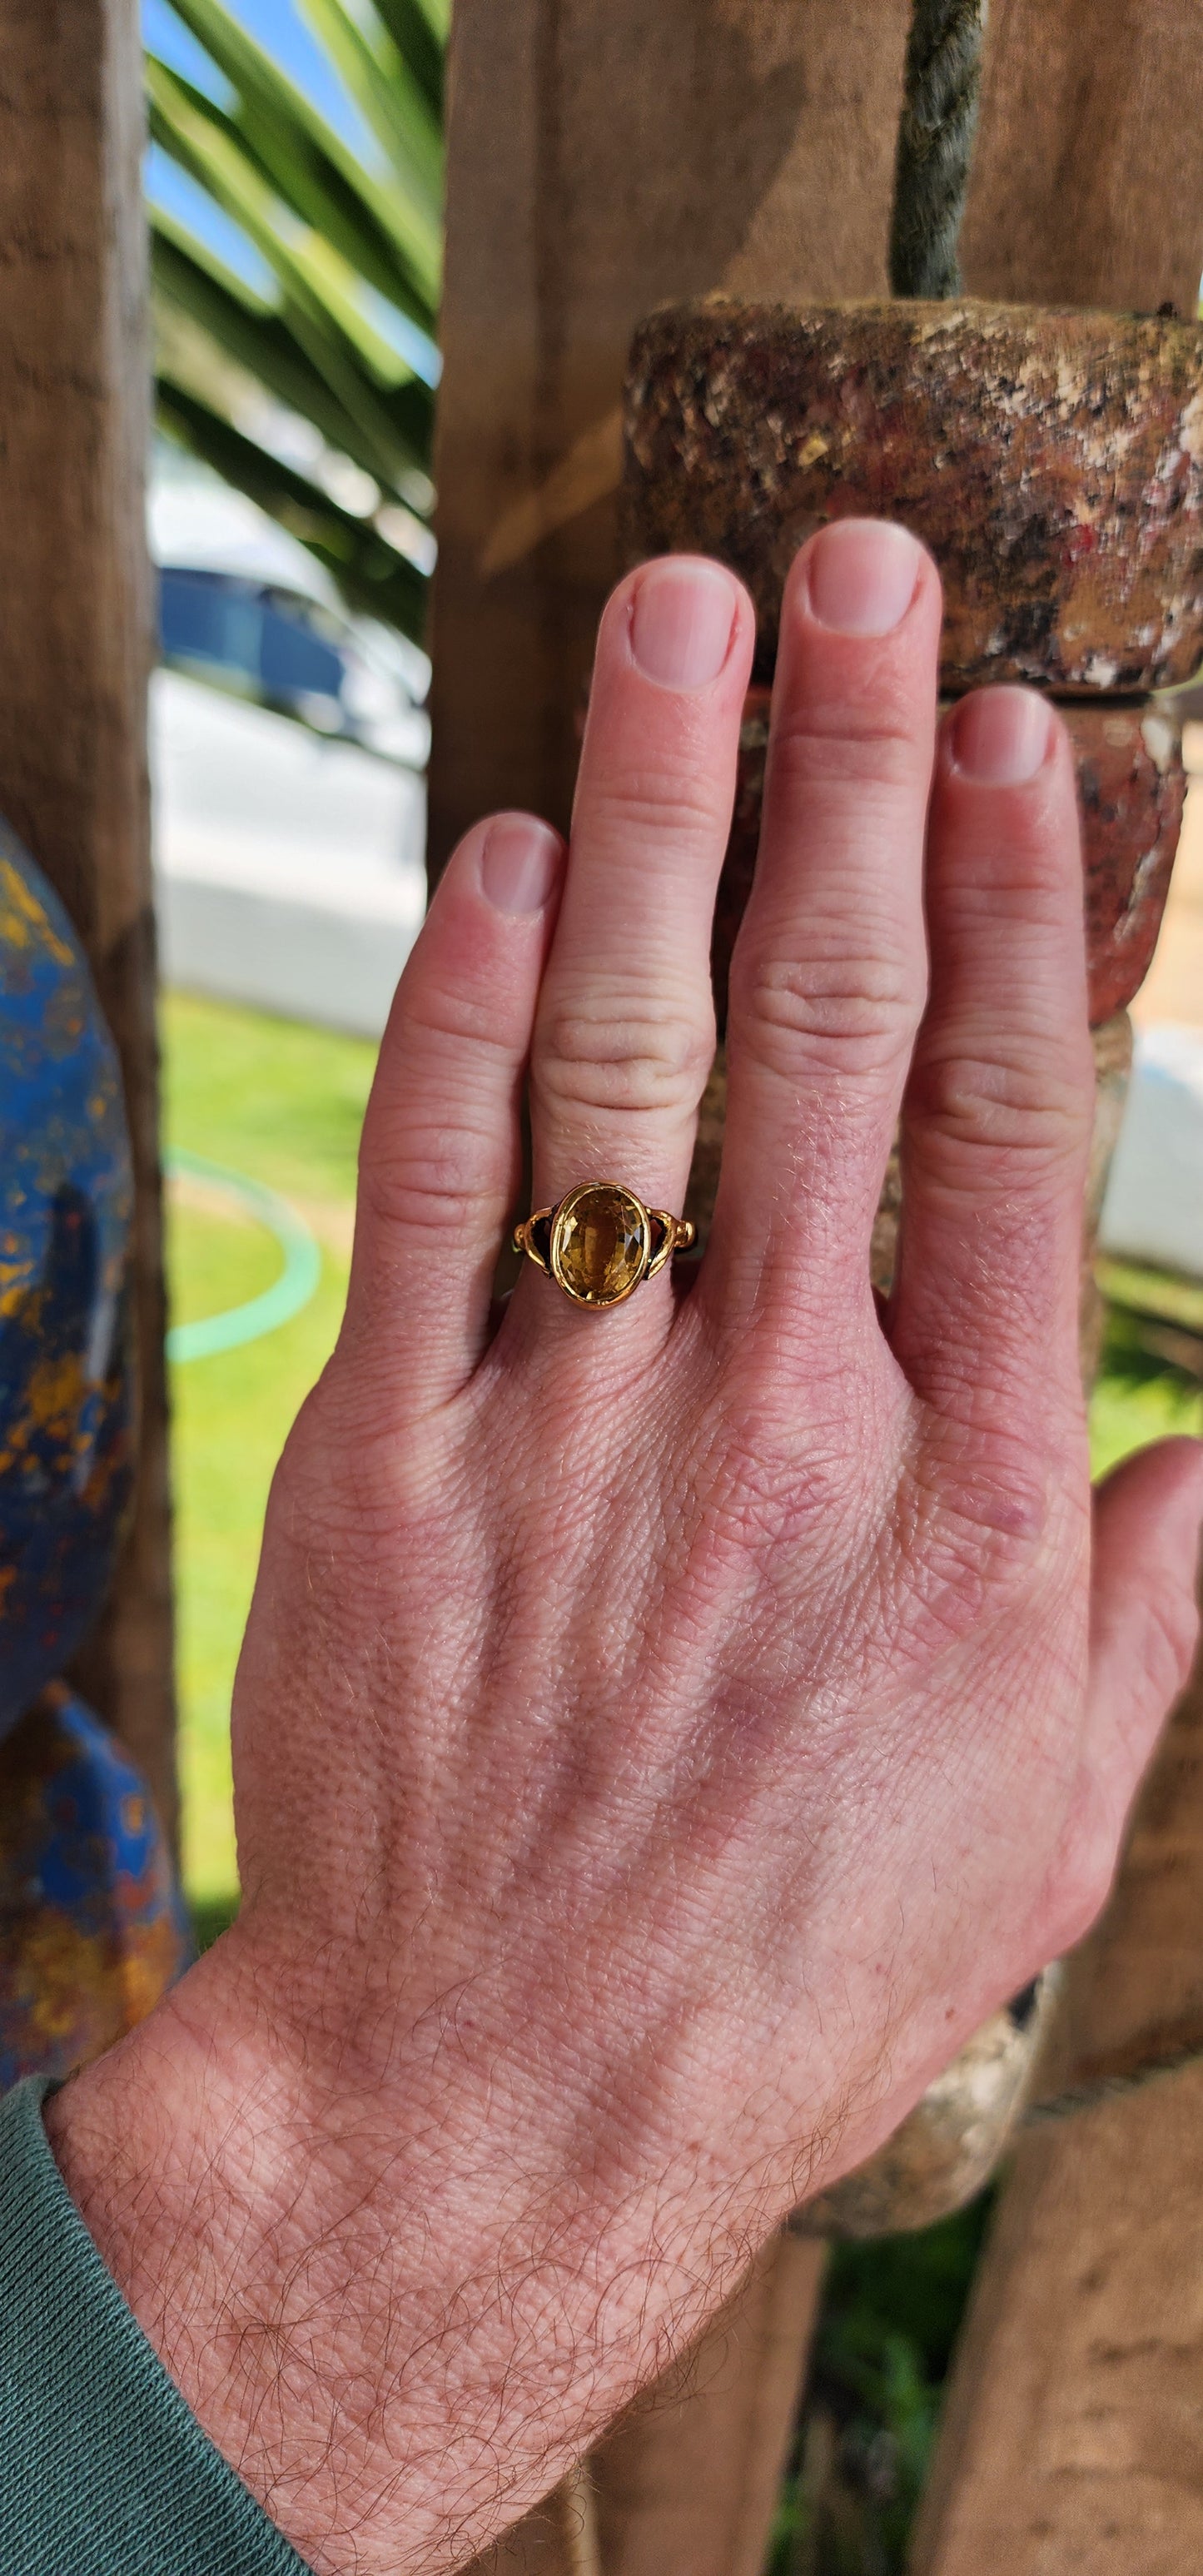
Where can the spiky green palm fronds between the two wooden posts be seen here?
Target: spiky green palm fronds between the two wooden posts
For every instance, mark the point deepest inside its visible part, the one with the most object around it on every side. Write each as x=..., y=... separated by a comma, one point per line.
x=349, y=243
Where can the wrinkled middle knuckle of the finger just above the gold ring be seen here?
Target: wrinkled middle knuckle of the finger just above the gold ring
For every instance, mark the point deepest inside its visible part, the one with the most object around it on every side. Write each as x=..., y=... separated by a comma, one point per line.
x=622, y=1055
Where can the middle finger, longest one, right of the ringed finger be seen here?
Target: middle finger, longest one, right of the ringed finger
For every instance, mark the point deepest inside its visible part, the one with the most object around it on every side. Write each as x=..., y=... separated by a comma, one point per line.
x=831, y=965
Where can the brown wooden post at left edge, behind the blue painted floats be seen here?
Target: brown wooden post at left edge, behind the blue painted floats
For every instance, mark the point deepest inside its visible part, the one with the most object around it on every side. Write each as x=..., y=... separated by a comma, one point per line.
x=76, y=650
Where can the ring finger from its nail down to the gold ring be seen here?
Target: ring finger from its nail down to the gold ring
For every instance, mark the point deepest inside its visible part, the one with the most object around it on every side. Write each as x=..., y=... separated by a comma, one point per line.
x=625, y=1032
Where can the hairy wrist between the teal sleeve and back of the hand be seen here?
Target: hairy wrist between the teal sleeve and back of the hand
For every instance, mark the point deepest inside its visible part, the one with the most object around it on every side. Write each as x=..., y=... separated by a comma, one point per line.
x=398, y=2333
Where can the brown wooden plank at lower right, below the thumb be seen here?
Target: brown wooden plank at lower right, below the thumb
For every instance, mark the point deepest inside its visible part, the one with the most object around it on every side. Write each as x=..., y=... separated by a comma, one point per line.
x=1073, y=2428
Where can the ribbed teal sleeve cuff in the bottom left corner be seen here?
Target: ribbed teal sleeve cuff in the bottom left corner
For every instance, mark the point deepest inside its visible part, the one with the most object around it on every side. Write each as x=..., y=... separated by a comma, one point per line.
x=104, y=2472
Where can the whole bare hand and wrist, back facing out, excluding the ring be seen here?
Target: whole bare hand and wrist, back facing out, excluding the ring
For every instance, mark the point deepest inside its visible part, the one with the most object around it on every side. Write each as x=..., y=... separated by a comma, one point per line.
x=661, y=1735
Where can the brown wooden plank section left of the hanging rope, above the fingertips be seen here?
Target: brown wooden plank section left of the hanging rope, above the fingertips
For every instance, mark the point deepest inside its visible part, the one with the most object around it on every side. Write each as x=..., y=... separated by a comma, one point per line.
x=607, y=158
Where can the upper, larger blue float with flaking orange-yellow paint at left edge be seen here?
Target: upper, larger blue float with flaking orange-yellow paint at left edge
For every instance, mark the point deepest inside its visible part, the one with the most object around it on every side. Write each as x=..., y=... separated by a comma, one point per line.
x=66, y=1372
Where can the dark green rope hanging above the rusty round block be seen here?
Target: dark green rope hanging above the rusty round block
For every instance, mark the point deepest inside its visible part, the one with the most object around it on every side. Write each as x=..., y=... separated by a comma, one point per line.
x=936, y=140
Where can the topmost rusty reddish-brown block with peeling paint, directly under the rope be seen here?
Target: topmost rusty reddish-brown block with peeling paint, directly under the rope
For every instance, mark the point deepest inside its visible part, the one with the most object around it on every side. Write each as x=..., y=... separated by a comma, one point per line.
x=1050, y=460
